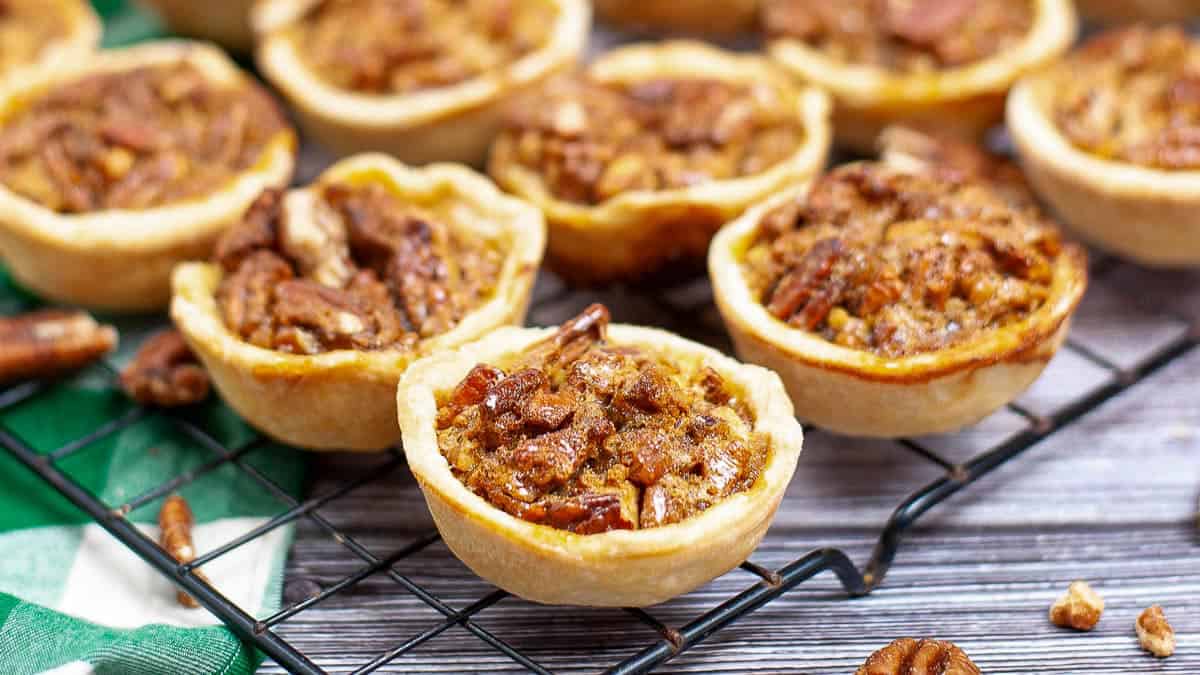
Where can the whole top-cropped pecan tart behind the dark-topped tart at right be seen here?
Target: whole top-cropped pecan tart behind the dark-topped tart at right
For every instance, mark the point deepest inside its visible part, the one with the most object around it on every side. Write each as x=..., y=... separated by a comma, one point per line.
x=943, y=64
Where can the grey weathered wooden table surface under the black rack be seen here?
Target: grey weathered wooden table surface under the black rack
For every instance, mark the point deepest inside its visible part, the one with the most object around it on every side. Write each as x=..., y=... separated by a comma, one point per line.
x=1111, y=499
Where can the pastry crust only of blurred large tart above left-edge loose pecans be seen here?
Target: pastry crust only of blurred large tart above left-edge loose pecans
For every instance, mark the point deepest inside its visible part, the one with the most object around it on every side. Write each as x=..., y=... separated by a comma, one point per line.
x=122, y=260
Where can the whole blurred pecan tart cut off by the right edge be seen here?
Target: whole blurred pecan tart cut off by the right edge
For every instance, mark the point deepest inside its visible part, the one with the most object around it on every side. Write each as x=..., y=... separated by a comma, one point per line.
x=1111, y=139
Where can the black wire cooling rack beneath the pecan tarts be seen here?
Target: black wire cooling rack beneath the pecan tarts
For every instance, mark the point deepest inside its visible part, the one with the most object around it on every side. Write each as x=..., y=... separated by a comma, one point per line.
x=671, y=642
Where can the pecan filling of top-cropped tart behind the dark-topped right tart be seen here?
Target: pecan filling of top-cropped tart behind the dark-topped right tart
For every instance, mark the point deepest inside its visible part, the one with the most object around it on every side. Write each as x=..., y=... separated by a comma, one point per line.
x=909, y=37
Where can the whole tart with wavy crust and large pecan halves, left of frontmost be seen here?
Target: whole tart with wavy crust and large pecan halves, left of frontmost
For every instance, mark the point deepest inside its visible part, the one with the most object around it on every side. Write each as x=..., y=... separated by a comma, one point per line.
x=320, y=298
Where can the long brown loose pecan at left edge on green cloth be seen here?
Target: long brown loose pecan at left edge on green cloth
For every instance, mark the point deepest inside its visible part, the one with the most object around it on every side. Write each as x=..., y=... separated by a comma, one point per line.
x=51, y=342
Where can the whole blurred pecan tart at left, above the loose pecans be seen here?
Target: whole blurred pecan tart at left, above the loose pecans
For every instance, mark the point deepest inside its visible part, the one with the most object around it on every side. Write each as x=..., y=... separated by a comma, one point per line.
x=116, y=170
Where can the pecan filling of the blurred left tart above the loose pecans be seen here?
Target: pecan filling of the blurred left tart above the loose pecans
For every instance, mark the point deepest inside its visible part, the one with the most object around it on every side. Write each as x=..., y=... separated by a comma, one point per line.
x=134, y=140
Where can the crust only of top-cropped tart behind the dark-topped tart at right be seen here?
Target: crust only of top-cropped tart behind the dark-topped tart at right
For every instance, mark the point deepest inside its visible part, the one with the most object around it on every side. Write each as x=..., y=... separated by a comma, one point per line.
x=965, y=100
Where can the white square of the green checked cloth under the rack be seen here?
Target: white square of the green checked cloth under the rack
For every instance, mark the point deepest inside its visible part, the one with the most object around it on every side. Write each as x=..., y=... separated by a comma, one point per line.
x=110, y=586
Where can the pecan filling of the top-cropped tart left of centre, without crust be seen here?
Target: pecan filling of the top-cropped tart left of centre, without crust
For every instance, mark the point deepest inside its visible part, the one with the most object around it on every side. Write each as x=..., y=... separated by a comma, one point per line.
x=400, y=46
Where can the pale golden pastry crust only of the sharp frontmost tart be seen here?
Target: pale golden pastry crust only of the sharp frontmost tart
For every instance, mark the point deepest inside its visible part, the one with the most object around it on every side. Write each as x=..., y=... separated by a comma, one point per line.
x=617, y=569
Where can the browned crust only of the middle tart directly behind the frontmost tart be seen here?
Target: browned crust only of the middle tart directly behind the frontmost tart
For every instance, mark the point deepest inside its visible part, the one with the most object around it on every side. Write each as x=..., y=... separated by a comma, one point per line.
x=638, y=232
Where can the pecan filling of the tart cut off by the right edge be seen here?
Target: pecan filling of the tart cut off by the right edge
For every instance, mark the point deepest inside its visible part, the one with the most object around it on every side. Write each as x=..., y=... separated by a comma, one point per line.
x=1133, y=95
